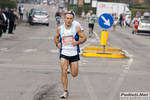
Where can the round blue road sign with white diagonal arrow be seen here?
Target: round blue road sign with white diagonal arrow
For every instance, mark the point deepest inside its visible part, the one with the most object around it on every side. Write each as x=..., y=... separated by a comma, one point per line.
x=105, y=21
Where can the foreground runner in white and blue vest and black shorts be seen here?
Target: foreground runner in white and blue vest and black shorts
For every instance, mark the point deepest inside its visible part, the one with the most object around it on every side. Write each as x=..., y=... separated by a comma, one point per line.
x=67, y=40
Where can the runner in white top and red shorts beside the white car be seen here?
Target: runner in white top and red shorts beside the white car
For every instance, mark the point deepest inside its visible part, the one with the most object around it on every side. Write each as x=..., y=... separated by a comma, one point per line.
x=136, y=21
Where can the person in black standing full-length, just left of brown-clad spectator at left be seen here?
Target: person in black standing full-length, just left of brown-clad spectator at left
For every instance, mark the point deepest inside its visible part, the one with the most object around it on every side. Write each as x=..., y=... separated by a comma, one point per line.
x=11, y=21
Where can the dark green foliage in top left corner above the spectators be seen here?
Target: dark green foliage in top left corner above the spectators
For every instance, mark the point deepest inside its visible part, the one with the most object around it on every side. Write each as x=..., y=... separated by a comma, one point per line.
x=8, y=4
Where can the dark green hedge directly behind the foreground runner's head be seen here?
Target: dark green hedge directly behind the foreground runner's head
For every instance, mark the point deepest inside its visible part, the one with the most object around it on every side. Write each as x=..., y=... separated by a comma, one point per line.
x=78, y=10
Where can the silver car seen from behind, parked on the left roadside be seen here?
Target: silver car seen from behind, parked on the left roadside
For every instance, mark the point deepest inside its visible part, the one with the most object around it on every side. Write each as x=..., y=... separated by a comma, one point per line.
x=38, y=16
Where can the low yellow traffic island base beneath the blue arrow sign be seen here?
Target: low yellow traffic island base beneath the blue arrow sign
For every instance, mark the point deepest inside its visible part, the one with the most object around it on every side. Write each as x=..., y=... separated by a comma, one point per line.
x=97, y=51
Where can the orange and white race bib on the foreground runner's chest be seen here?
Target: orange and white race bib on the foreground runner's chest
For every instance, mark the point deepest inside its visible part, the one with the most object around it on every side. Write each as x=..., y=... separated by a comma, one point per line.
x=67, y=38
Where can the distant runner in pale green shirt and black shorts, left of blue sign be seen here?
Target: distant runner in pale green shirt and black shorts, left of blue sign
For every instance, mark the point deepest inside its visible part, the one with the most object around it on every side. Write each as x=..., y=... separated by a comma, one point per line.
x=91, y=20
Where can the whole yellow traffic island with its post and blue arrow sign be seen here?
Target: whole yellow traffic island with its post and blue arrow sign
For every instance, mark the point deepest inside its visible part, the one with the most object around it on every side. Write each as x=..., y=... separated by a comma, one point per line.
x=105, y=21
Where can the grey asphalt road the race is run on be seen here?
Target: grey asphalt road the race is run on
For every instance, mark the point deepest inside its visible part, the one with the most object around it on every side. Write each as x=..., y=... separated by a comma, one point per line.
x=30, y=65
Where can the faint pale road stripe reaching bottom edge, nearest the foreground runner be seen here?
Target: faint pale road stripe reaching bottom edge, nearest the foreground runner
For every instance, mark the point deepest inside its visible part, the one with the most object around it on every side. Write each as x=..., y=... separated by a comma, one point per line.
x=89, y=88
